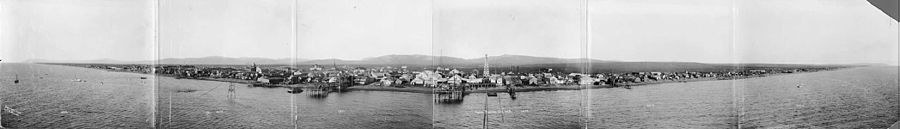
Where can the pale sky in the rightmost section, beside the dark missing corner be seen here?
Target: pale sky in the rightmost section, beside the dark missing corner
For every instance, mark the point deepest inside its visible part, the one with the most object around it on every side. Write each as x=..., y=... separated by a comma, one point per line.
x=823, y=32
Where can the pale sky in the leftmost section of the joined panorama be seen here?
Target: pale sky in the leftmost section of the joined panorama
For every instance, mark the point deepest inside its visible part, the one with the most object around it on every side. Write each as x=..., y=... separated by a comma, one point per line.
x=75, y=29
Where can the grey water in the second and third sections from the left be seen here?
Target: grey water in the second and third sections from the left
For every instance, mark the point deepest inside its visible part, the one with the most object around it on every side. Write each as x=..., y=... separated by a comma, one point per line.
x=210, y=107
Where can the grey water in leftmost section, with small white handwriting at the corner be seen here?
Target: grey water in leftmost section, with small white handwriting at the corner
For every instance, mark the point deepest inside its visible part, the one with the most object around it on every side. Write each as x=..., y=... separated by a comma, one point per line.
x=47, y=97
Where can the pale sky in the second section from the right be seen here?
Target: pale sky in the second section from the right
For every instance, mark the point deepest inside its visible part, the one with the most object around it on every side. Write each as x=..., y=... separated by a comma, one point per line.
x=661, y=30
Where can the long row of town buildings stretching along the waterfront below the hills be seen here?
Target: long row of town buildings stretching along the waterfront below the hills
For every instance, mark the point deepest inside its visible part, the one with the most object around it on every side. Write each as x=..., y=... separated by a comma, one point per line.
x=429, y=77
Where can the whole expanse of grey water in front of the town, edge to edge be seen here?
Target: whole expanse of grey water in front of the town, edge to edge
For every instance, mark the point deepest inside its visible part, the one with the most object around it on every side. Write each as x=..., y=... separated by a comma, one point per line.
x=848, y=98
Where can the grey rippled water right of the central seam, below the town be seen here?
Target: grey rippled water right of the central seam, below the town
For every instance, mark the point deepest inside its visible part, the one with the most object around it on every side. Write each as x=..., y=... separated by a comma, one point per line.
x=847, y=98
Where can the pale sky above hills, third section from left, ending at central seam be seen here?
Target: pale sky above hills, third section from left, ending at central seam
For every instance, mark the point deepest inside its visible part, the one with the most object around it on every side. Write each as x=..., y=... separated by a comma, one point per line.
x=357, y=29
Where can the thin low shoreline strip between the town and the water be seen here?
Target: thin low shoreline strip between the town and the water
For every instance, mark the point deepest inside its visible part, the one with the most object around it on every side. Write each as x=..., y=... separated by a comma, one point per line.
x=426, y=90
